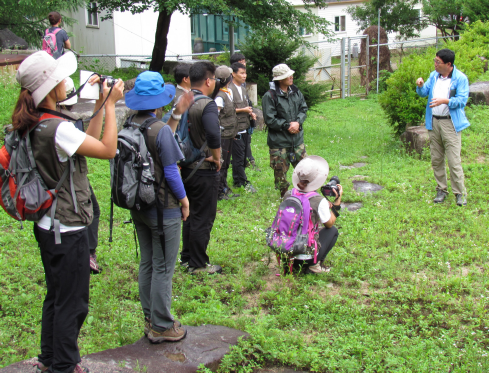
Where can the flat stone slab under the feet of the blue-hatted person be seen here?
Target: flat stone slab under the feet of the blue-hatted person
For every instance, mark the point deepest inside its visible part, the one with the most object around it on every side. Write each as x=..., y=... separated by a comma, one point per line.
x=206, y=344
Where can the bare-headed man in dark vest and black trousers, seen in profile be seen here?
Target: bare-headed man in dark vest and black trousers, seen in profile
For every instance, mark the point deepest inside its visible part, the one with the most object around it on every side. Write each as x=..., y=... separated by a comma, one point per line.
x=202, y=187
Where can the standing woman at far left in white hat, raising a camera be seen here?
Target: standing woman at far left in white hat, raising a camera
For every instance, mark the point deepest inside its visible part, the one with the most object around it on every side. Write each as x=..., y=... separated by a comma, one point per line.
x=64, y=249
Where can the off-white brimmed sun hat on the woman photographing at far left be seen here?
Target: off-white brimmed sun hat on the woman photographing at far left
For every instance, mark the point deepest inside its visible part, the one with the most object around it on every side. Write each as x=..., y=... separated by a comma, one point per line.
x=40, y=73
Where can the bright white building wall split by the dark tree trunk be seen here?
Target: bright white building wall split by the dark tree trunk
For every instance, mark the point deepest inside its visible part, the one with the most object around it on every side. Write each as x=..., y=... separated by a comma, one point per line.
x=135, y=33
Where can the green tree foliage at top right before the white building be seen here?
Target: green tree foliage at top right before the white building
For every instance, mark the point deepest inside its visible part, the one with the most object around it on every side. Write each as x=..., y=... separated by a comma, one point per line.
x=395, y=16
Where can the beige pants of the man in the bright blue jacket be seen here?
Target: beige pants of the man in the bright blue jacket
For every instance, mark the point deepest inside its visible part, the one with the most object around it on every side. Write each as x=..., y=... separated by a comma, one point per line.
x=445, y=142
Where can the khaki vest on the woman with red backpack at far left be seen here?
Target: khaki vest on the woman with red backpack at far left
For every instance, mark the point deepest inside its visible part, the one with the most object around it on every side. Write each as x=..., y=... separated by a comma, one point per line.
x=51, y=170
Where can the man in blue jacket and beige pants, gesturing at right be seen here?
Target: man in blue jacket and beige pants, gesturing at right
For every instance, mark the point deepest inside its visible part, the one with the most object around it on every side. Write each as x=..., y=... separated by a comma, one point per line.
x=448, y=90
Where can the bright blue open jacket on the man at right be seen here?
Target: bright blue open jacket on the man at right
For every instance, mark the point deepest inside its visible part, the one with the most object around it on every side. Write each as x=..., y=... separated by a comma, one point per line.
x=459, y=94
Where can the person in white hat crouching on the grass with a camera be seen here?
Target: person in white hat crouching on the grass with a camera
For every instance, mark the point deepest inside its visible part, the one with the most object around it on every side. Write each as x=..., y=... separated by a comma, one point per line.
x=308, y=176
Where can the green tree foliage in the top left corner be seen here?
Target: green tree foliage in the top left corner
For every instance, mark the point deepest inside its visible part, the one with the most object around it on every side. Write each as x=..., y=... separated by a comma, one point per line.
x=29, y=18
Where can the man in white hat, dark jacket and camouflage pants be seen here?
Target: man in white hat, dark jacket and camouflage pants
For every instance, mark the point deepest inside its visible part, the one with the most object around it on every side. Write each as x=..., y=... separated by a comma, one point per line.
x=284, y=112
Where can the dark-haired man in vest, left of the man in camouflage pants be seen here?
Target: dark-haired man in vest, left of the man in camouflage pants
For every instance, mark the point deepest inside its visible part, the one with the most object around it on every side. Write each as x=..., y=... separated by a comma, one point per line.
x=243, y=112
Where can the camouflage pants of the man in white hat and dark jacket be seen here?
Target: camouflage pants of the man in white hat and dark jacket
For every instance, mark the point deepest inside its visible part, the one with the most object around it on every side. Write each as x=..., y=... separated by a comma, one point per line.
x=280, y=162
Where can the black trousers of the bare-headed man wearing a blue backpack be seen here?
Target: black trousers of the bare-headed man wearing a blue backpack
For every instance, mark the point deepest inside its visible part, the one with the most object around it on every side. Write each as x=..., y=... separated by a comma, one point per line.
x=196, y=232
